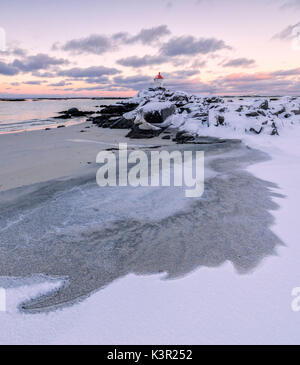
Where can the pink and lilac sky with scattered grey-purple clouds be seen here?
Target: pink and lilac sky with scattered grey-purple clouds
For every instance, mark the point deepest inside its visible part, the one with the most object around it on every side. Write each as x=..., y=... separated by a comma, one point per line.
x=116, y=47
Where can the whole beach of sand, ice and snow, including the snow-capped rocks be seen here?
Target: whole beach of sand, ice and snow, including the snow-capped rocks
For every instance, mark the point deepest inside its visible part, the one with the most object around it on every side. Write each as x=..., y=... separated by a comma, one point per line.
x=154, y=267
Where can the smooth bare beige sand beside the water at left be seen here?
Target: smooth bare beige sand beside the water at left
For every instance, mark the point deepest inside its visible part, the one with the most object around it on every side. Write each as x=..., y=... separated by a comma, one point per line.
x=39, y=156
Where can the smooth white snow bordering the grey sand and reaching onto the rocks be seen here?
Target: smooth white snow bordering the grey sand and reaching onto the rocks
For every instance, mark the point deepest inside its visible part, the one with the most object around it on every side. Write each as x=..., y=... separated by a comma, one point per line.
x=210, y=305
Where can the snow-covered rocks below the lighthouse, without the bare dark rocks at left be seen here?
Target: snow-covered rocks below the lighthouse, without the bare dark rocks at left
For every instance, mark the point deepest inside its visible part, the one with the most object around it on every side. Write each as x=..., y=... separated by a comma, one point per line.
x=155, y=109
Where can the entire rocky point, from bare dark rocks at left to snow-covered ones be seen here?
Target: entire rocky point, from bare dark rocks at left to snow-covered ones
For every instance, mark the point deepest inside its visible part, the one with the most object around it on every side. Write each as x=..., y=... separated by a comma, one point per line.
x=188, y=118
